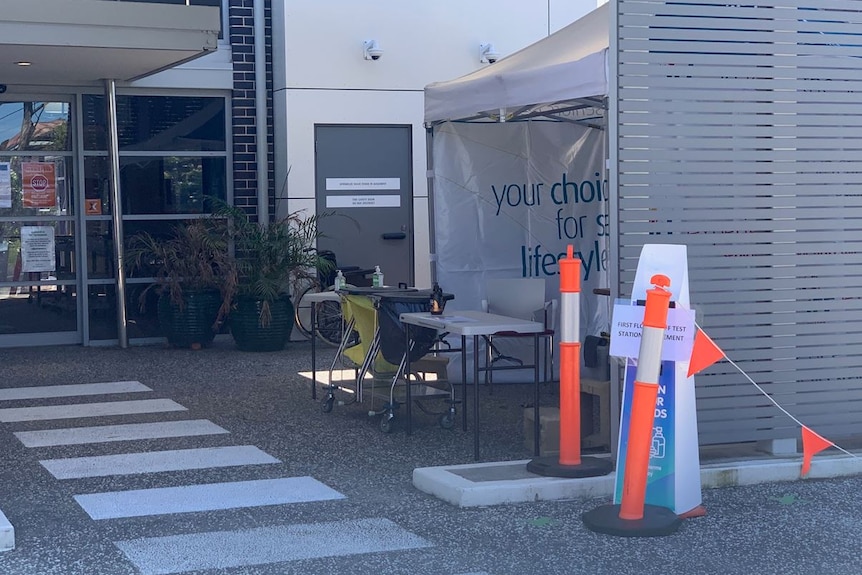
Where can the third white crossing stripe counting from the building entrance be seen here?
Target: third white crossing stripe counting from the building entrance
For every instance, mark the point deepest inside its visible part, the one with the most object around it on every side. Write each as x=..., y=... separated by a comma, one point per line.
x=127, y=432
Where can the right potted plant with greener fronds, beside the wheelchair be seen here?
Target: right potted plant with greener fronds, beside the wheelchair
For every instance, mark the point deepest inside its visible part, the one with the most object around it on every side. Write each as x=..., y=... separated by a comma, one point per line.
x=270, y=259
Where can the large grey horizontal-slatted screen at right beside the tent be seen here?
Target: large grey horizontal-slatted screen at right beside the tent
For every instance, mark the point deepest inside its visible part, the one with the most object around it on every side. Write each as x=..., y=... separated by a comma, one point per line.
x=740, y=135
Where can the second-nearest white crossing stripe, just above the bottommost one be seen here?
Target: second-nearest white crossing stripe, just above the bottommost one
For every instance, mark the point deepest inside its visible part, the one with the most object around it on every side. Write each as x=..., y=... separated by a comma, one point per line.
x=206, y=497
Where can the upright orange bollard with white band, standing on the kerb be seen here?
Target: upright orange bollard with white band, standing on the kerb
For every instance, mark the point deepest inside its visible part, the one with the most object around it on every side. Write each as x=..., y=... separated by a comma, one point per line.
x=570, y=463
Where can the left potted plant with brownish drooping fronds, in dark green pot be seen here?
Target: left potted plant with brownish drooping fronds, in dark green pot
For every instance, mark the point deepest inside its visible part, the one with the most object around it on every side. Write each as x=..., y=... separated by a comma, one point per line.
x=195, y=277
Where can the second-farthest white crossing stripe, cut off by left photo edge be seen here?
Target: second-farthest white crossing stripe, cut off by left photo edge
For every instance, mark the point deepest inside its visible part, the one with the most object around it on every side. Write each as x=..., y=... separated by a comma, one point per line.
x=11, y=414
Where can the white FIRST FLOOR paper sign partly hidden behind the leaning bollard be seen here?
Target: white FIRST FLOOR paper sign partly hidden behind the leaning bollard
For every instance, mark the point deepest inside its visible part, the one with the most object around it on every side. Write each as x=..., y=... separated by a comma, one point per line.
x=627, y=325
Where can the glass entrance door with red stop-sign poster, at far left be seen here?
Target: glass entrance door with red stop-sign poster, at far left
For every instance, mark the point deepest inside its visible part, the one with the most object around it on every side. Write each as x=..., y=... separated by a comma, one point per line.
x=39, y=303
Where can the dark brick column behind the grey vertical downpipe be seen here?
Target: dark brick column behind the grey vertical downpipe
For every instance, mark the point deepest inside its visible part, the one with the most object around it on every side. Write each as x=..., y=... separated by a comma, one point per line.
x=243, y=115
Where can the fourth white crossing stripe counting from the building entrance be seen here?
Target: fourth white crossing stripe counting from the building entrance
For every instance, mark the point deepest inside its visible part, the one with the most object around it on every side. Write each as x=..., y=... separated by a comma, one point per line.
x=156, y=461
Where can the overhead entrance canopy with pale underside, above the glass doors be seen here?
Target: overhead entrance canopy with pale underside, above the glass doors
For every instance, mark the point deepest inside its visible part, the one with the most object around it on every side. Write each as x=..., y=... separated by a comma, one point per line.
x=83, y=42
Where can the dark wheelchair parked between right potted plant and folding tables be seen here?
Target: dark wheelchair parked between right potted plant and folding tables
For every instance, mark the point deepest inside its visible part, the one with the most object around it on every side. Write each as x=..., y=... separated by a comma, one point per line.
x=328, y=325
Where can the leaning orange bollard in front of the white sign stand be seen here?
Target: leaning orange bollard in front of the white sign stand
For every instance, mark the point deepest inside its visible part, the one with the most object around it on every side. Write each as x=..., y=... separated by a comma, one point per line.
x=632, y=517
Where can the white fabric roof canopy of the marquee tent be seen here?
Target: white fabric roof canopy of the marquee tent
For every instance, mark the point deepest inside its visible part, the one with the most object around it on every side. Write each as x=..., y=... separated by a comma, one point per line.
x=570, y=64
